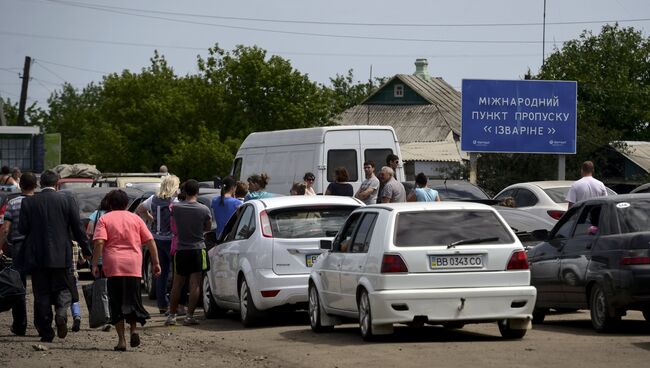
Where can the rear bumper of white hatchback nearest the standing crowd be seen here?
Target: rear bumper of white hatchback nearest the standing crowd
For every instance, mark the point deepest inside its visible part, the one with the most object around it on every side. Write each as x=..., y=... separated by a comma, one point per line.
x=292, y=289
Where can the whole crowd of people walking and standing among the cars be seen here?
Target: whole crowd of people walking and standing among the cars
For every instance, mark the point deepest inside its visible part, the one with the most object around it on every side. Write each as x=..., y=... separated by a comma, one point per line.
x=45, y=237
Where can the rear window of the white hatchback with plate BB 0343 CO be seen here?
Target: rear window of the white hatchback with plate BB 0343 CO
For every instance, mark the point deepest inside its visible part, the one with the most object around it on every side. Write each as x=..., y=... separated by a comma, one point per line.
x=427, y=228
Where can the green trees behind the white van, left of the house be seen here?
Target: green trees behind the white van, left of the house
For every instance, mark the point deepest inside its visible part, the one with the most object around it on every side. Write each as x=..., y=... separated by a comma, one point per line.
x=194, y=124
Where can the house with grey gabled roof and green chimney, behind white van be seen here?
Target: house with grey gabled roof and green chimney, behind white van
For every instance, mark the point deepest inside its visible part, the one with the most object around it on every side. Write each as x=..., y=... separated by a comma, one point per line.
x=425, y=113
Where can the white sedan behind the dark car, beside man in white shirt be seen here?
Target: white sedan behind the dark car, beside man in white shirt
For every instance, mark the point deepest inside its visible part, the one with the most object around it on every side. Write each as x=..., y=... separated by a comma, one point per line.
x=544, y=198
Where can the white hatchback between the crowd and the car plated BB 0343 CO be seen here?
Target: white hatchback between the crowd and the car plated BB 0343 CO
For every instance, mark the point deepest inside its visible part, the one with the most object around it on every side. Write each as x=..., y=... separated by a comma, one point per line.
x=266, y=253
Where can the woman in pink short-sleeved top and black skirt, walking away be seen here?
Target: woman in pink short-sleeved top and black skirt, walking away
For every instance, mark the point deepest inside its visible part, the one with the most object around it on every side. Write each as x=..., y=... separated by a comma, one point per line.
x=119, y=237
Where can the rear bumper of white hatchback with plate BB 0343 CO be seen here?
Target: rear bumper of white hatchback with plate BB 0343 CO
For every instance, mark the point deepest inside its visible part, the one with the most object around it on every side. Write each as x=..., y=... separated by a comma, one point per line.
x=457, y=304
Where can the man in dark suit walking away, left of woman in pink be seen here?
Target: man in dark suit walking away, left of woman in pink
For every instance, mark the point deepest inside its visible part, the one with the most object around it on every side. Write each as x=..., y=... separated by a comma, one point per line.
x=47, y=219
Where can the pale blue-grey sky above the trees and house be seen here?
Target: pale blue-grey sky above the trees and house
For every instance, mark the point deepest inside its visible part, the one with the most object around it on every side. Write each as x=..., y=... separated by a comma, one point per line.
x=79, y=41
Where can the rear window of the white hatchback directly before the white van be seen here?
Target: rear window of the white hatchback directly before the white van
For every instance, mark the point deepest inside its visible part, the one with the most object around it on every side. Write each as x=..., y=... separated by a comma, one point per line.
x=308, y=222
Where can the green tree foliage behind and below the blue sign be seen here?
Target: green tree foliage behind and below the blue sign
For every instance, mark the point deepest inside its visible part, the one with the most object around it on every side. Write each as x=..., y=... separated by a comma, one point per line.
x=613, y=74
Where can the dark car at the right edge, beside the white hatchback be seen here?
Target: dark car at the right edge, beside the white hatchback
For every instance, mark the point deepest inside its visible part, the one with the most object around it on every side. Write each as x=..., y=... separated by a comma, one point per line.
x=596, y=257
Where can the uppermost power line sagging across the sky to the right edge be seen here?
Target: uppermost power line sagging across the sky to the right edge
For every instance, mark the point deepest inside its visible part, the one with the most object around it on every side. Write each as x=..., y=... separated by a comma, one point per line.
x=293, y=21
